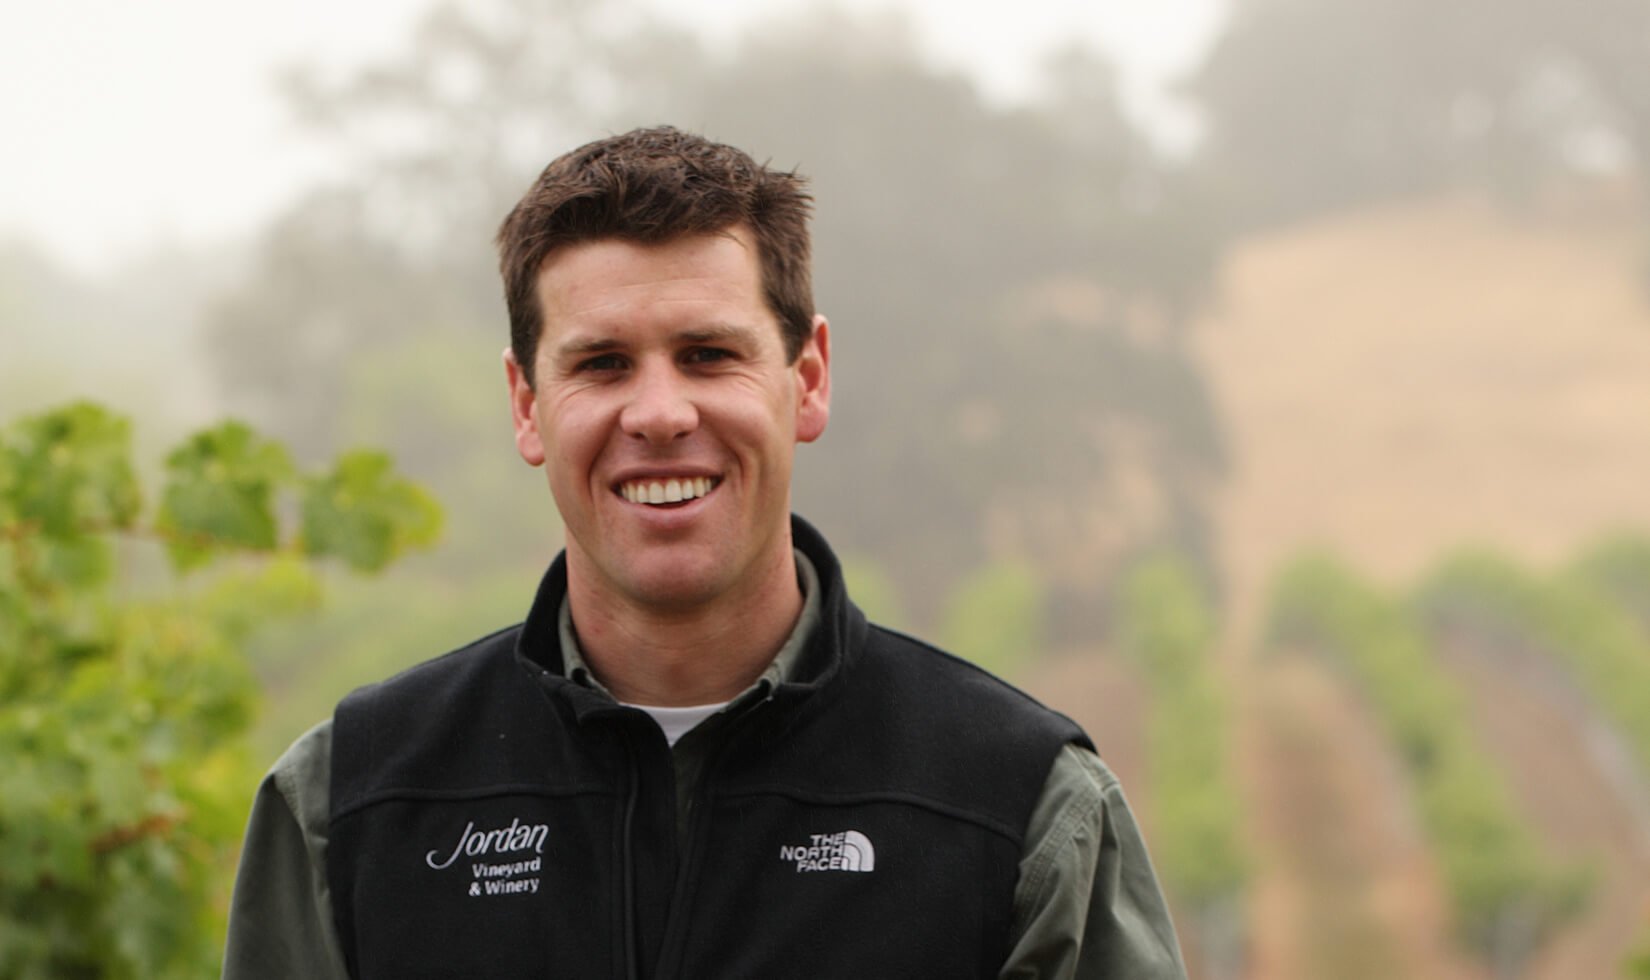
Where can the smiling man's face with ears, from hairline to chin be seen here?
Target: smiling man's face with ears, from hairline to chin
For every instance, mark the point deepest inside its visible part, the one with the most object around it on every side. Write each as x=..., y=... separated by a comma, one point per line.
x=667, y=418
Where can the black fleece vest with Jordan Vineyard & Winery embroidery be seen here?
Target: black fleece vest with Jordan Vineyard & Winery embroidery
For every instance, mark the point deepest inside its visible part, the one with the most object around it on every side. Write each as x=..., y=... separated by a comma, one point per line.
x=493, y=819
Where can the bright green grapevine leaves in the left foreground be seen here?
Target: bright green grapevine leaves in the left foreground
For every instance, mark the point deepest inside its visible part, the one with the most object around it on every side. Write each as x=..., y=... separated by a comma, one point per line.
x=126, y=686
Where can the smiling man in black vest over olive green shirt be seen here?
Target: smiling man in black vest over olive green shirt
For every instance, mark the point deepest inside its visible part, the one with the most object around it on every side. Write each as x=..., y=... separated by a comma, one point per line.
x=694, y=758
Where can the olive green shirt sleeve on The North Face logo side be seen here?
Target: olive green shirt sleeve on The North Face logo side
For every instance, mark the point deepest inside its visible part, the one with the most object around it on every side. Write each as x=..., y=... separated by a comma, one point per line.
x=1088, y=905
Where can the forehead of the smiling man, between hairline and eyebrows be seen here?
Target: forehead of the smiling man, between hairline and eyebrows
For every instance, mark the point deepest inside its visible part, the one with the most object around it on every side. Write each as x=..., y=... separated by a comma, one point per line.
x=621, y=278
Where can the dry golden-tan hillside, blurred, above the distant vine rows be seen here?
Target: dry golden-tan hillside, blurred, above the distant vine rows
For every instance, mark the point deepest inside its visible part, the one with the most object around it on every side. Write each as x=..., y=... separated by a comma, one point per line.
x=1405, y=379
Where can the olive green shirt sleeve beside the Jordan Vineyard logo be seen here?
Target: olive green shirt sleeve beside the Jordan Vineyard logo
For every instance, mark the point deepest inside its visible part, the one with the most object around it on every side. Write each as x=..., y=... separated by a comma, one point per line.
x=281, y=915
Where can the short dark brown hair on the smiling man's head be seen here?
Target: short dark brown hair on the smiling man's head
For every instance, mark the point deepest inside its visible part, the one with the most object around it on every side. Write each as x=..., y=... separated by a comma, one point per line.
x=654, y=186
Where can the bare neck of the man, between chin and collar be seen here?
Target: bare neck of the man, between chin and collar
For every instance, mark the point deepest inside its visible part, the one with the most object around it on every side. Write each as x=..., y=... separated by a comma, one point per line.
x=682, y=657
